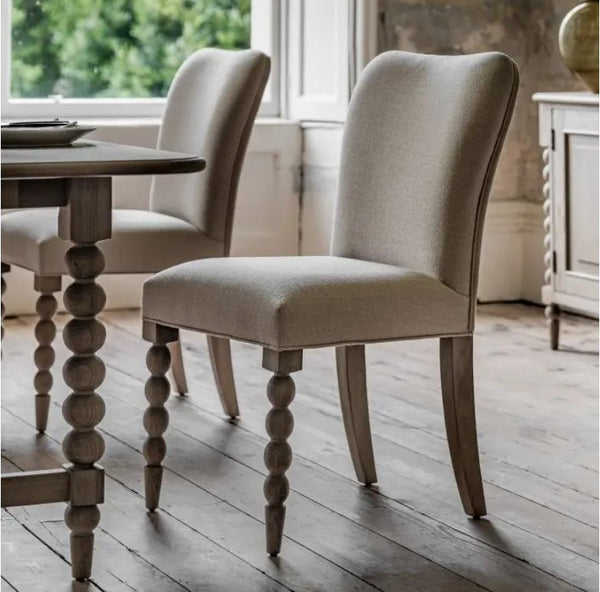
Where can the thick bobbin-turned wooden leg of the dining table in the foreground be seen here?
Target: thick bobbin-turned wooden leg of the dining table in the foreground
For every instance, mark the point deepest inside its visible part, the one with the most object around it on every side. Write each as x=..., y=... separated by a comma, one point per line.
x=84, y=220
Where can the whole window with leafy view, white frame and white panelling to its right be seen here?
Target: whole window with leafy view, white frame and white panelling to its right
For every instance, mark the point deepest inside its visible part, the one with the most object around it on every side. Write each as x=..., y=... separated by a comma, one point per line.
x=116, y=58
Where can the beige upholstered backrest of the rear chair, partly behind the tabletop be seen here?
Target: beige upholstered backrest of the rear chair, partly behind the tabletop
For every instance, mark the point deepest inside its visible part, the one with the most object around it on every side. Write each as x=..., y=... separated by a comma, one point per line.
x=210, y=111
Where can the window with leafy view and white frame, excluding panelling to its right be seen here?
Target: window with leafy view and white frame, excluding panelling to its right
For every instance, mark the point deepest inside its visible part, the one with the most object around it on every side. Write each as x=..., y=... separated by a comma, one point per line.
x=118, y=57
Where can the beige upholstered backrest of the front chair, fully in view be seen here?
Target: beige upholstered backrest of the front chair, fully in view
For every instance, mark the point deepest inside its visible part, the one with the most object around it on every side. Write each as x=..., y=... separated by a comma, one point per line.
x=420, y=148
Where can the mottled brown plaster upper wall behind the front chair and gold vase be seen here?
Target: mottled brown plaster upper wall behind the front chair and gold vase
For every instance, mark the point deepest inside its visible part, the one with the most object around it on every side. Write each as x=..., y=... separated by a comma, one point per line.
x=527, y=30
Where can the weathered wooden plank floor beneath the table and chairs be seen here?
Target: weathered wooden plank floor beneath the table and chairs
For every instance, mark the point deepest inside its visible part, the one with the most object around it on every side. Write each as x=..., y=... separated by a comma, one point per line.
x=538, y=425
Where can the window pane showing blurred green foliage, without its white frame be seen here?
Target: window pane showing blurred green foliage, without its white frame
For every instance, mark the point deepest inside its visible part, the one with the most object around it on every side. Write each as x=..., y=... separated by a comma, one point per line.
x=115, y=48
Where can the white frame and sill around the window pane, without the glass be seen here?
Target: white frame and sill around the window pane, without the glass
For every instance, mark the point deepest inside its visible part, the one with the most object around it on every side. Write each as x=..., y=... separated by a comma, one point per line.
x=269, y=40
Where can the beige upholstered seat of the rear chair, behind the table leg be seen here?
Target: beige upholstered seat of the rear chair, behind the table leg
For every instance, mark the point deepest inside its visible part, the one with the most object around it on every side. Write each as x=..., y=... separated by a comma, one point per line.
x=142, y=242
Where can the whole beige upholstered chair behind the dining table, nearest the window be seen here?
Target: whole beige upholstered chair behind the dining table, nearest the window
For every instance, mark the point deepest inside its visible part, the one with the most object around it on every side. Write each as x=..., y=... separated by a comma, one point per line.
x=211, y=107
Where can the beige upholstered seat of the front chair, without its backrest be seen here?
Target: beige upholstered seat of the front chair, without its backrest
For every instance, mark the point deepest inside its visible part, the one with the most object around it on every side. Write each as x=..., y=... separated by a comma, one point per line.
x=299, y=302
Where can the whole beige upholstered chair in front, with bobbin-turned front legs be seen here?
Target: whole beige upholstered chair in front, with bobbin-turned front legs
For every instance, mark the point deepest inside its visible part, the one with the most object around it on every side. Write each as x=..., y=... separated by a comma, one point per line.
x=421, y=143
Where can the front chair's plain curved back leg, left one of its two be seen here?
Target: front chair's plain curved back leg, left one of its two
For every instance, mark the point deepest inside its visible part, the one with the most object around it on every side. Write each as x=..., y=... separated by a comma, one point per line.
x=352, y=383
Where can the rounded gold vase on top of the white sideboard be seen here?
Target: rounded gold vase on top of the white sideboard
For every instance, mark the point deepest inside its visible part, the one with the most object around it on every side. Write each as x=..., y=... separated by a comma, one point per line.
x=578, y=42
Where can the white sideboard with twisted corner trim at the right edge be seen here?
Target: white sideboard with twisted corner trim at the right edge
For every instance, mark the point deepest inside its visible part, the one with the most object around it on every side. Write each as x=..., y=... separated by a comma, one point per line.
x=568, y=132
